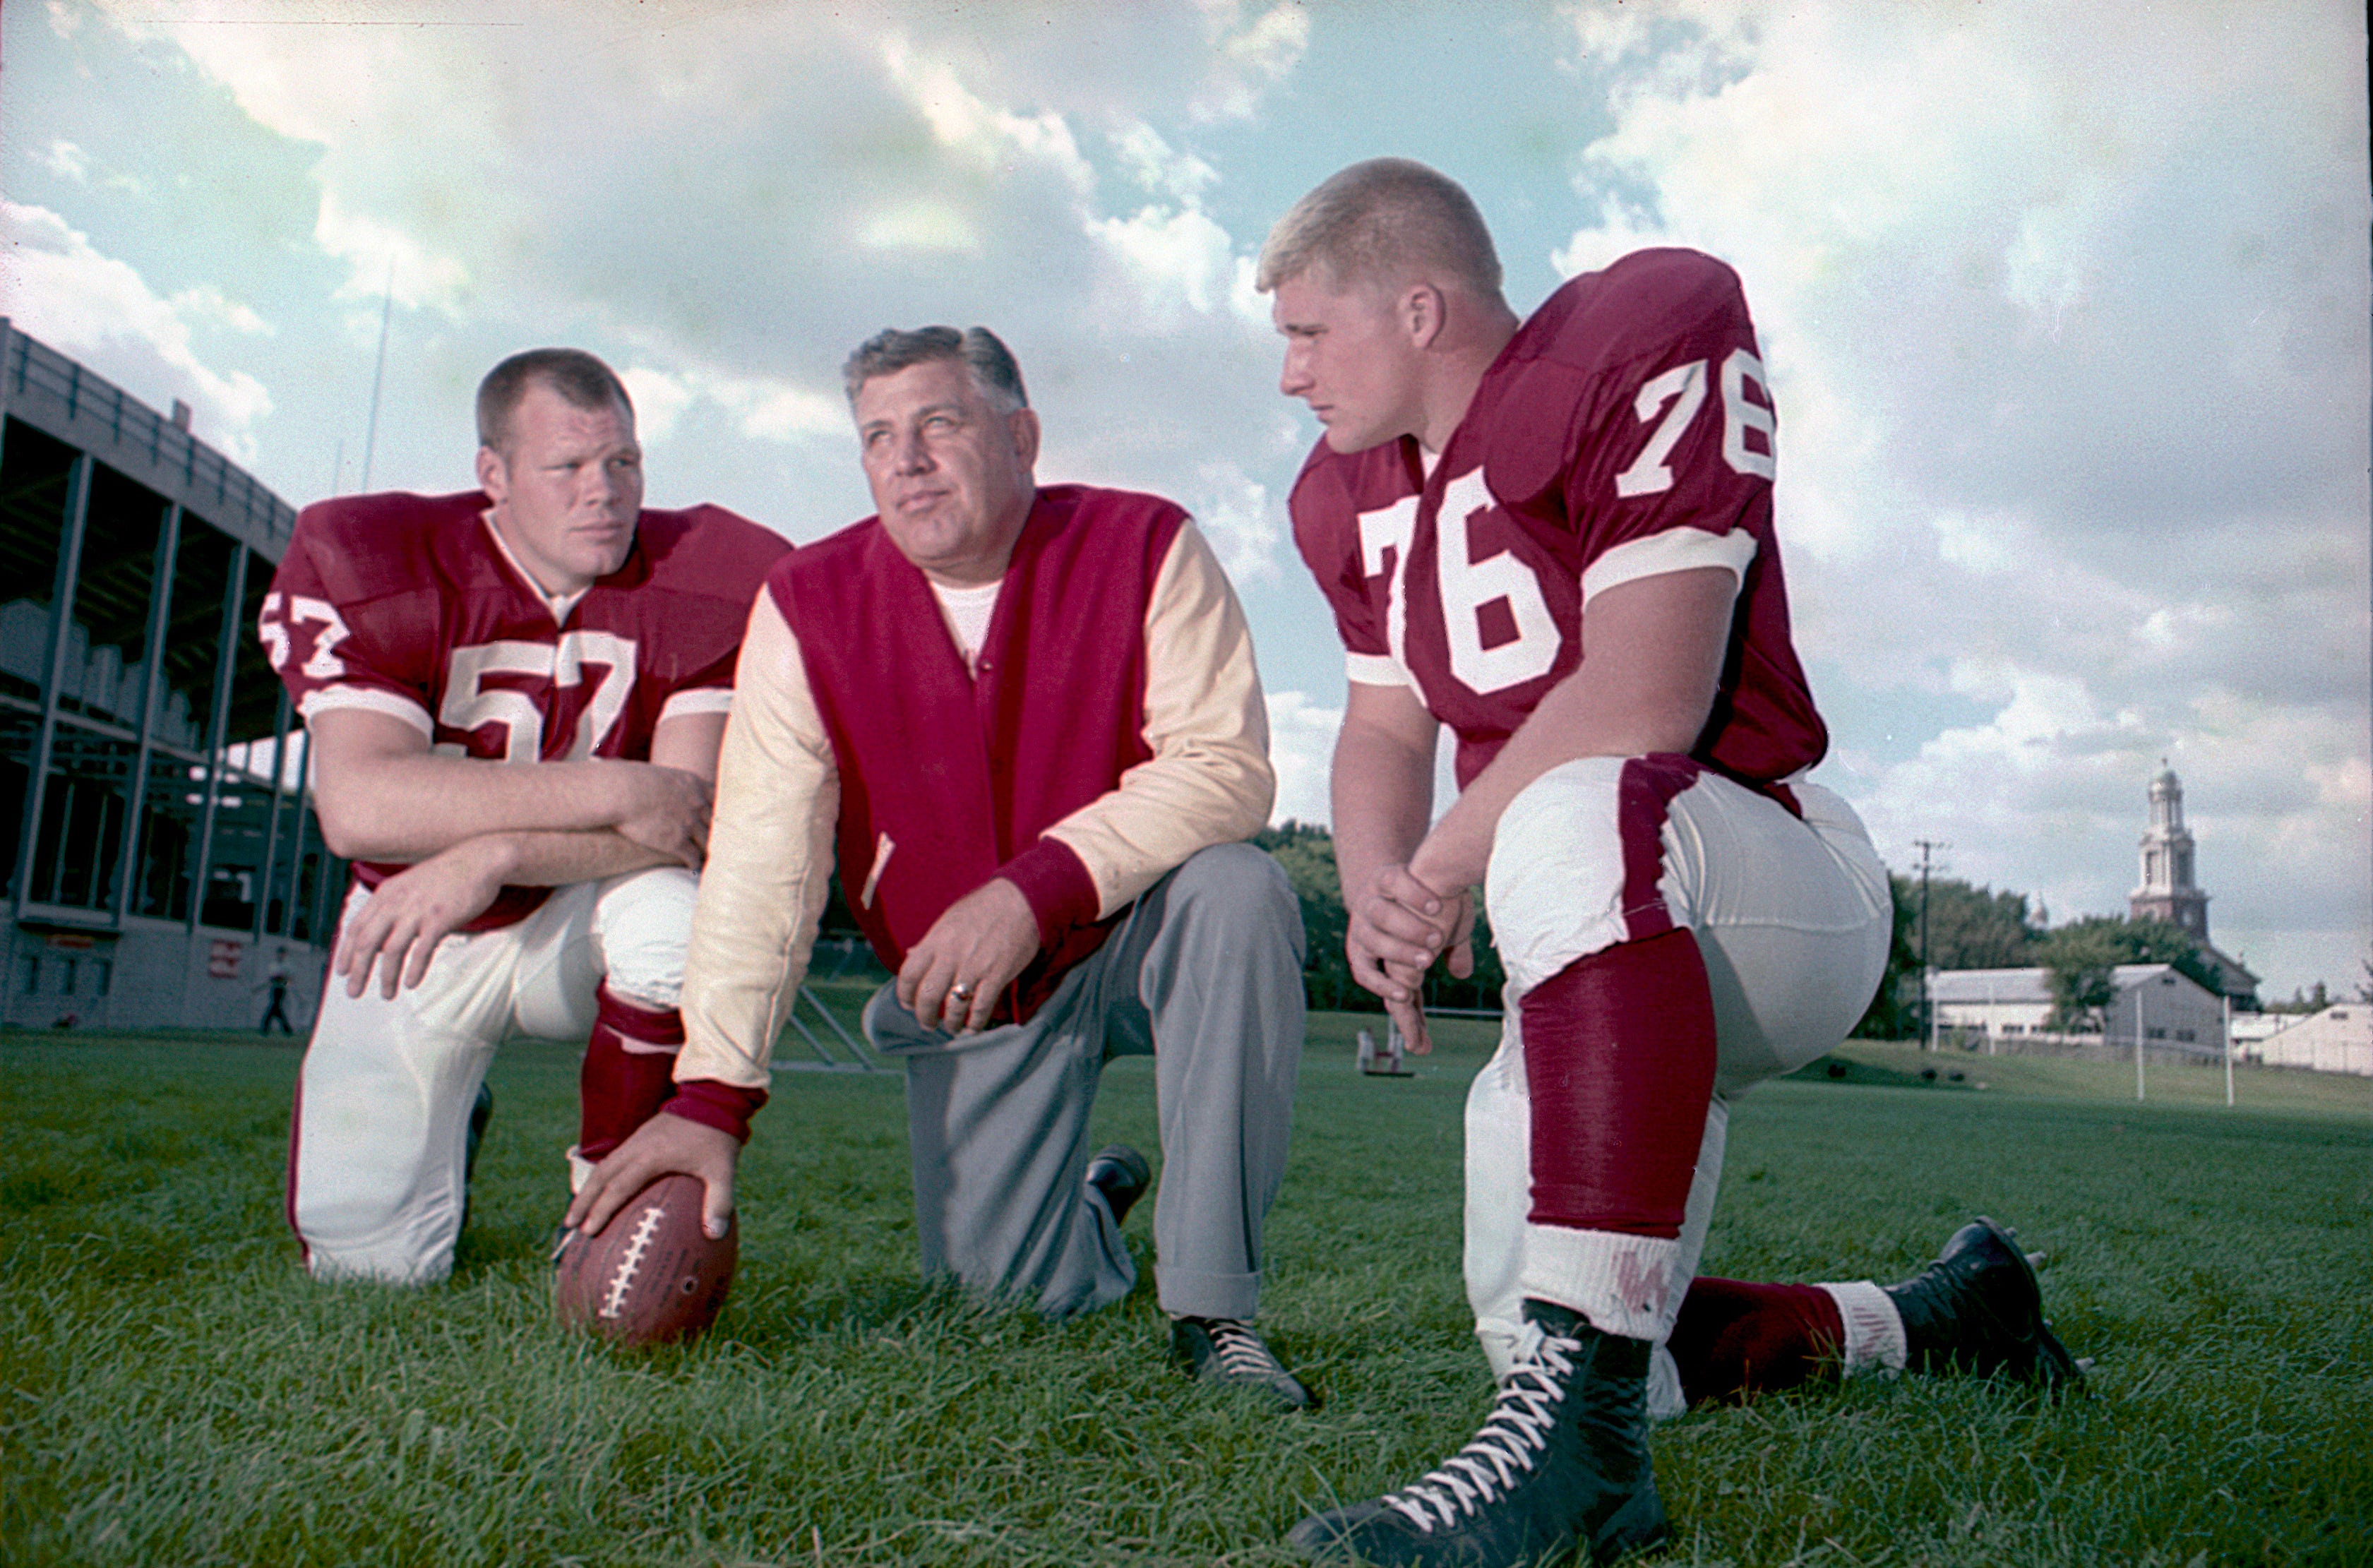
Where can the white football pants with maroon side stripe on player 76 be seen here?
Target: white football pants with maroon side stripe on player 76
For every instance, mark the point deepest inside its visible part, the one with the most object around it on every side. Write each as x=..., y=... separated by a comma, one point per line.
x=1793, y=919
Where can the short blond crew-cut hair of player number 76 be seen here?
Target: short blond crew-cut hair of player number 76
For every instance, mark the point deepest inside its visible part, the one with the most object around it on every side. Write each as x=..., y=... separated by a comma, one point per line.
x=1378, y=224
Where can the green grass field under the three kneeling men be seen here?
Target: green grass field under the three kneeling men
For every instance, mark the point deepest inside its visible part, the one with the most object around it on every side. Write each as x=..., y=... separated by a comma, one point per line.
x=179, y=1394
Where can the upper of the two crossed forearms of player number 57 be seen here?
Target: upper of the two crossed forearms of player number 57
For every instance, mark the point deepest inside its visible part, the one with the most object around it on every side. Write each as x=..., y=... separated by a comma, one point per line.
x=414, y=808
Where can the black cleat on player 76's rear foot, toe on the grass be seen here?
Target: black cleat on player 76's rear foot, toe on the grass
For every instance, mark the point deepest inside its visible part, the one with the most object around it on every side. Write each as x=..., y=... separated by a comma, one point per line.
x=1980, y=1311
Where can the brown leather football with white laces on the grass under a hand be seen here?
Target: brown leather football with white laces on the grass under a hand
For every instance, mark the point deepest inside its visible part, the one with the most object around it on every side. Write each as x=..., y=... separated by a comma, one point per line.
x=651, y=1275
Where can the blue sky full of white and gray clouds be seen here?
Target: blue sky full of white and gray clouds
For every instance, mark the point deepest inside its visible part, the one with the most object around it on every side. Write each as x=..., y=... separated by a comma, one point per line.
x=2066, y=312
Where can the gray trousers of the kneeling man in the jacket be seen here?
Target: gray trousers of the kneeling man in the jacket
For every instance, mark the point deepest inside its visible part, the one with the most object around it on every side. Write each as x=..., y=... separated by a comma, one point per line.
x=1207, y=976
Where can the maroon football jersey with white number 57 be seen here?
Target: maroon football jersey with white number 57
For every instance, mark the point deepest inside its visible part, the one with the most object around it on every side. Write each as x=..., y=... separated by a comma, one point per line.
x=409, y=606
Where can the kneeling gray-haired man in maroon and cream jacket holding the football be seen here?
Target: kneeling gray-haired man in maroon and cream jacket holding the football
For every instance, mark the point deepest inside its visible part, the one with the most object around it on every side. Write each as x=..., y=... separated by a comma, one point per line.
x=1029, y=725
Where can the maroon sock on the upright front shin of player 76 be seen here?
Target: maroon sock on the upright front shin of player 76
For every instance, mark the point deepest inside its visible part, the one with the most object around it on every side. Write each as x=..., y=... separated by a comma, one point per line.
x=1620, y=1062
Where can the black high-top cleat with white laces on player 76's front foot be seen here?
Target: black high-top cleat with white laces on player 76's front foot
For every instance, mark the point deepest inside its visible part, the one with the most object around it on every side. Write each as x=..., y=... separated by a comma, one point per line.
x=1560, y=1467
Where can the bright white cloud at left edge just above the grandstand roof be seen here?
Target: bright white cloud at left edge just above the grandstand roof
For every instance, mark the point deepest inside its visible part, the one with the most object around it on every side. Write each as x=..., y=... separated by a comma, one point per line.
x=101, y=312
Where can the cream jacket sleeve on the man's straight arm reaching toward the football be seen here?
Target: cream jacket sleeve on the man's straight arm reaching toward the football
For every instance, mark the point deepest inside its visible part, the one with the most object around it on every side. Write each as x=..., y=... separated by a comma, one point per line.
x=770, y=862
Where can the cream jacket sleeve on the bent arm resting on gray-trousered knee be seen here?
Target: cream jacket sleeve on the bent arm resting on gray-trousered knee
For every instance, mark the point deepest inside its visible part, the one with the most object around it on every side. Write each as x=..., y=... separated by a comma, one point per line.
x=1209, y=779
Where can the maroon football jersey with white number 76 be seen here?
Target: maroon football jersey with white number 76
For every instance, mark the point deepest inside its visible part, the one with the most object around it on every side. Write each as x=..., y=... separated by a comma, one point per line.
x=1624, y=433
